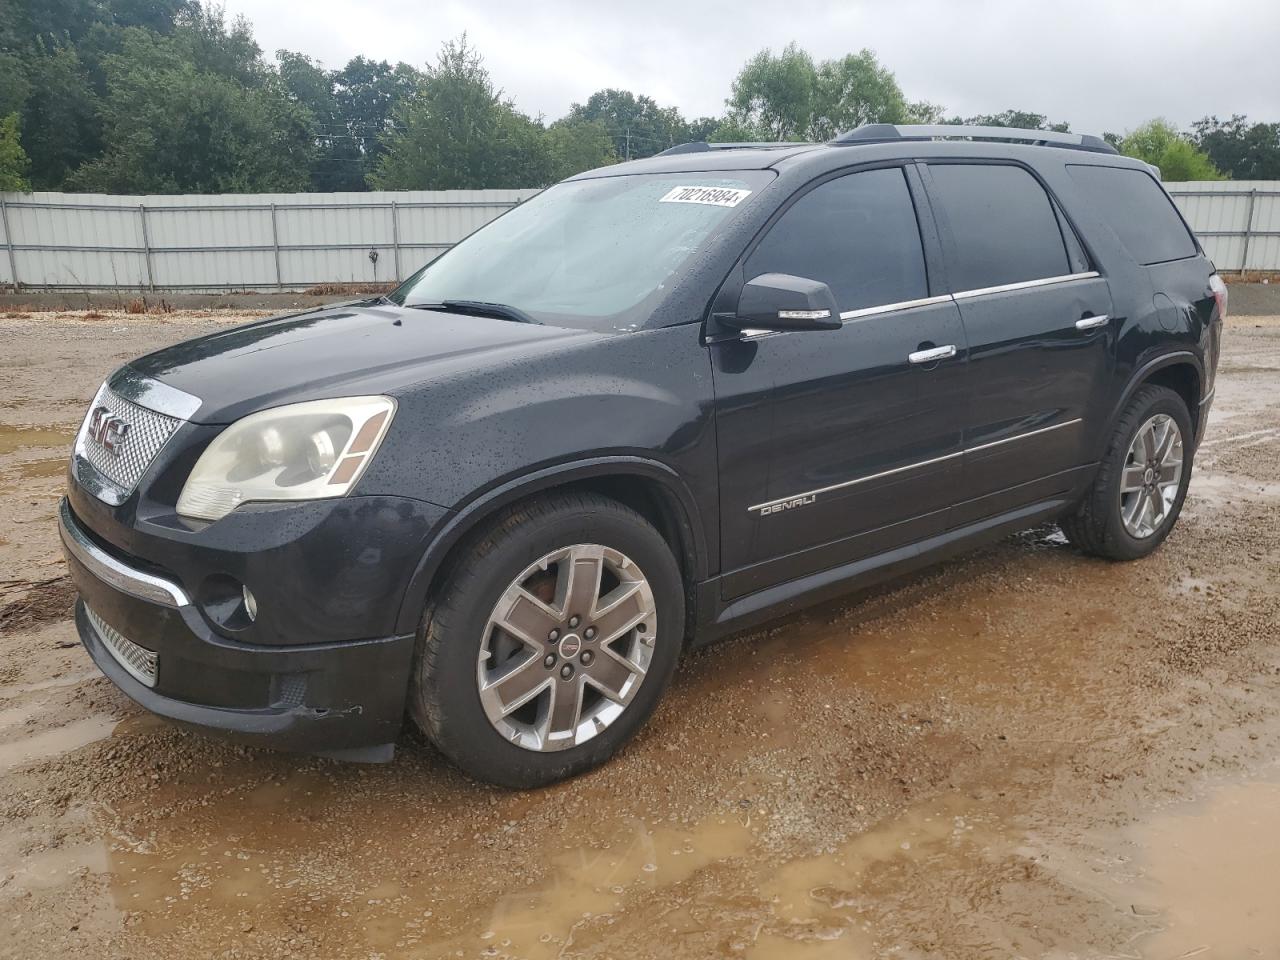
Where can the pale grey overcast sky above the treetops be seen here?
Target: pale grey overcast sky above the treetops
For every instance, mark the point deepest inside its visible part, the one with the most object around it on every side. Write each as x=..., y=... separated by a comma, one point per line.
x=1099, y=66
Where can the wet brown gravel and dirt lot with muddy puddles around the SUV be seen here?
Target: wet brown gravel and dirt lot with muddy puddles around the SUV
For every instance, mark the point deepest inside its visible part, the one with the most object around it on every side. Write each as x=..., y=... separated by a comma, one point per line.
x=1026, y=753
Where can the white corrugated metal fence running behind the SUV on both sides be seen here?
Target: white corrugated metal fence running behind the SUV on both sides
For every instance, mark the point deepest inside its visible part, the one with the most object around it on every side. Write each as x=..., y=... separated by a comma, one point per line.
x=292, y=241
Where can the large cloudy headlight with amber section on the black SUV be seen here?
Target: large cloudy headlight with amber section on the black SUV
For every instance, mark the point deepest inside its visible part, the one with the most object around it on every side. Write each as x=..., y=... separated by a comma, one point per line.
x=300, y=452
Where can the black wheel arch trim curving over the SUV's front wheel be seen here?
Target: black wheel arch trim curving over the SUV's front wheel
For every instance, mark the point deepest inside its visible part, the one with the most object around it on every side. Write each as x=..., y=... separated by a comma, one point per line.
x=651, y=488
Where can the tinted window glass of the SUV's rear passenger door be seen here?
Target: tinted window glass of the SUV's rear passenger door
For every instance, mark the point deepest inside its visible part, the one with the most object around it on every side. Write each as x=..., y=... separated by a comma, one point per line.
x=1003, y=223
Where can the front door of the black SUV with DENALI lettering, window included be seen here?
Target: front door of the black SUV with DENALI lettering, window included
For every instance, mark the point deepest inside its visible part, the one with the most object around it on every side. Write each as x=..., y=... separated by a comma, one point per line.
x=834, y=445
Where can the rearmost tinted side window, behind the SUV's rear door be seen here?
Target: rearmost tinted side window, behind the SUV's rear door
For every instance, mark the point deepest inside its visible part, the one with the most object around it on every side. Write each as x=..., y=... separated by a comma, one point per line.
x=1139, y=211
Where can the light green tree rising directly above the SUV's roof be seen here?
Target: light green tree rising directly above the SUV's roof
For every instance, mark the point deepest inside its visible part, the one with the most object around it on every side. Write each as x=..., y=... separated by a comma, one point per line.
x=789, y=97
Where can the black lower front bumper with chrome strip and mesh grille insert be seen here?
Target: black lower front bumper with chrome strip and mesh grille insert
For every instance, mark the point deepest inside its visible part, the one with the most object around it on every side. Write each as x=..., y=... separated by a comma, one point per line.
x=342, y=700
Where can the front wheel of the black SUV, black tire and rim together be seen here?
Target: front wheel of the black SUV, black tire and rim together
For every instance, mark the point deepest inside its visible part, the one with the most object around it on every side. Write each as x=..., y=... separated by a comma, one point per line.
x=459, y=706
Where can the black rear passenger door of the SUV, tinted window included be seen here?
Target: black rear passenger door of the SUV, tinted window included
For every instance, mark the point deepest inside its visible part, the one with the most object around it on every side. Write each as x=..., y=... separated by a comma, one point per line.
x=1039, y=323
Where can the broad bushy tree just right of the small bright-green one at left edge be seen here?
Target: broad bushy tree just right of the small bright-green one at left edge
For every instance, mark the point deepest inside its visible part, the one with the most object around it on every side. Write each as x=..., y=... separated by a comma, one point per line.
x=180, y=118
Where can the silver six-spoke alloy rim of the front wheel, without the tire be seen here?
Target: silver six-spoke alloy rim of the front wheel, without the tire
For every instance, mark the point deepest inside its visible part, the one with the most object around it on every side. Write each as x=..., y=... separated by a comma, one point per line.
x=566, y=648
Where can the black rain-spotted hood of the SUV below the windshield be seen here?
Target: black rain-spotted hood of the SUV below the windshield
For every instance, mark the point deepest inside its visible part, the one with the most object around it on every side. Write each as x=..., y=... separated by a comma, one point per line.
x=349, y=350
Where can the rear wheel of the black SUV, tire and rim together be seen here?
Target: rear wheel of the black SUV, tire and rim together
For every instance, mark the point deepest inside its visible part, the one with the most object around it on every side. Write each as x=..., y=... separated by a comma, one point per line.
x=1099, y=525
